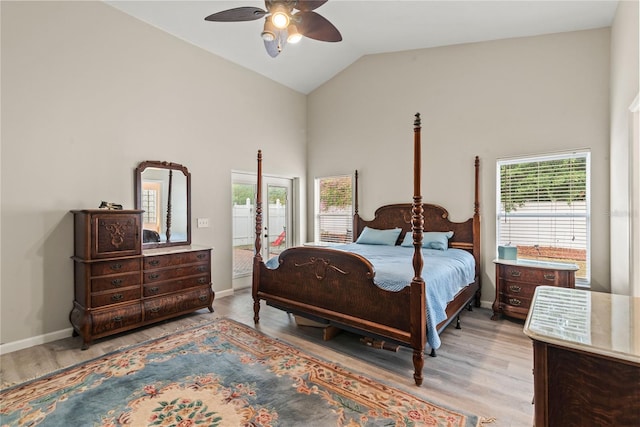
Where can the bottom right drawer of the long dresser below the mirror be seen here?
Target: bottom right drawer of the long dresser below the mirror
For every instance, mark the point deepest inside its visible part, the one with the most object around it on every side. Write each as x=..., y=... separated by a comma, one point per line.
x=172, y=304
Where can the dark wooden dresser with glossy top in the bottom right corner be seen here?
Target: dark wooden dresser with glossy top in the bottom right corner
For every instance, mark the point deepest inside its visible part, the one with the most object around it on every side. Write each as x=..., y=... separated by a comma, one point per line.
x=586, y=356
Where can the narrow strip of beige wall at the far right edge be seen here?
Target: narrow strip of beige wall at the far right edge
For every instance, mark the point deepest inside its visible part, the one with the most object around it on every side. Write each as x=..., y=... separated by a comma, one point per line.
x=624, y=89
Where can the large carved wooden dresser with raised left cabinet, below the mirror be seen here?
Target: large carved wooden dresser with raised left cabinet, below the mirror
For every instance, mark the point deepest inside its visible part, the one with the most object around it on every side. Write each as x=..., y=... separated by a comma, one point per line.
x=118, y=287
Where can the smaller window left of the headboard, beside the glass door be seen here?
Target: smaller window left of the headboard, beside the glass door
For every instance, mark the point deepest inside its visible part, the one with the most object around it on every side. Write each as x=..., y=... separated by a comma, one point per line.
x=334, y=209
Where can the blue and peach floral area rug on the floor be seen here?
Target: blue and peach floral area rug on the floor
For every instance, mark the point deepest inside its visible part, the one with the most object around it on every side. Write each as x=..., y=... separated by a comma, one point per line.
x=220, y=374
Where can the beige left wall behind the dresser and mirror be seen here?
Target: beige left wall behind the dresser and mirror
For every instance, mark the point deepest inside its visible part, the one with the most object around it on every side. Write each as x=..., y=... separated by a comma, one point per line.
x=87, y=93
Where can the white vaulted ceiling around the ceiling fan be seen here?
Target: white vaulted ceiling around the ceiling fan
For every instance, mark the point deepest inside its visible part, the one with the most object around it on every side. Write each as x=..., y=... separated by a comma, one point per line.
x=367, y=27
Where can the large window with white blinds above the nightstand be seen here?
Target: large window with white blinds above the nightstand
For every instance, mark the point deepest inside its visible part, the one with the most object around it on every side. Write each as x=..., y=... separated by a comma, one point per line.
x=543, y=209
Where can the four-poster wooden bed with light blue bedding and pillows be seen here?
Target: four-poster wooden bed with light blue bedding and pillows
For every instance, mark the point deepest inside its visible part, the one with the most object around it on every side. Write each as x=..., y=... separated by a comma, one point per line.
x=354, y=289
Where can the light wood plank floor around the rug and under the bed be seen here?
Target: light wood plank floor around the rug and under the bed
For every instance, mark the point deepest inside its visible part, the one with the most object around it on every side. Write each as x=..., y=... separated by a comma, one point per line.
x=485, y=368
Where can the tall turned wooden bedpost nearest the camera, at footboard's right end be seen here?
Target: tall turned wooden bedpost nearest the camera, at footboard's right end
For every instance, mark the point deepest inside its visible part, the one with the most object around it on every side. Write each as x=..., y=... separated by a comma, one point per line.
x=418, y=291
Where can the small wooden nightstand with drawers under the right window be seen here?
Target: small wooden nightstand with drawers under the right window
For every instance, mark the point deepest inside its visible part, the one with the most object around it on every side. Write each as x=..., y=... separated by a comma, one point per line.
x=516, y=281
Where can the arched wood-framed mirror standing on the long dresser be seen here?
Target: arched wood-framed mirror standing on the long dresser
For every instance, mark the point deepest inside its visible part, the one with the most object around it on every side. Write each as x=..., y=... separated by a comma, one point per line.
x=163, y=191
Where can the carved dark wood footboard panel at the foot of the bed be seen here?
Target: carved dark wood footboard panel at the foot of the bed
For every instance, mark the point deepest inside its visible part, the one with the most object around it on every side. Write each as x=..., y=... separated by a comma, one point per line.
x=337, y=286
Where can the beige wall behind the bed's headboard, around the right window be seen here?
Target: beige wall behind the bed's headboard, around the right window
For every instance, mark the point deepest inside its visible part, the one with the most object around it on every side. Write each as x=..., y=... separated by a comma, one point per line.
x=495, y=99
